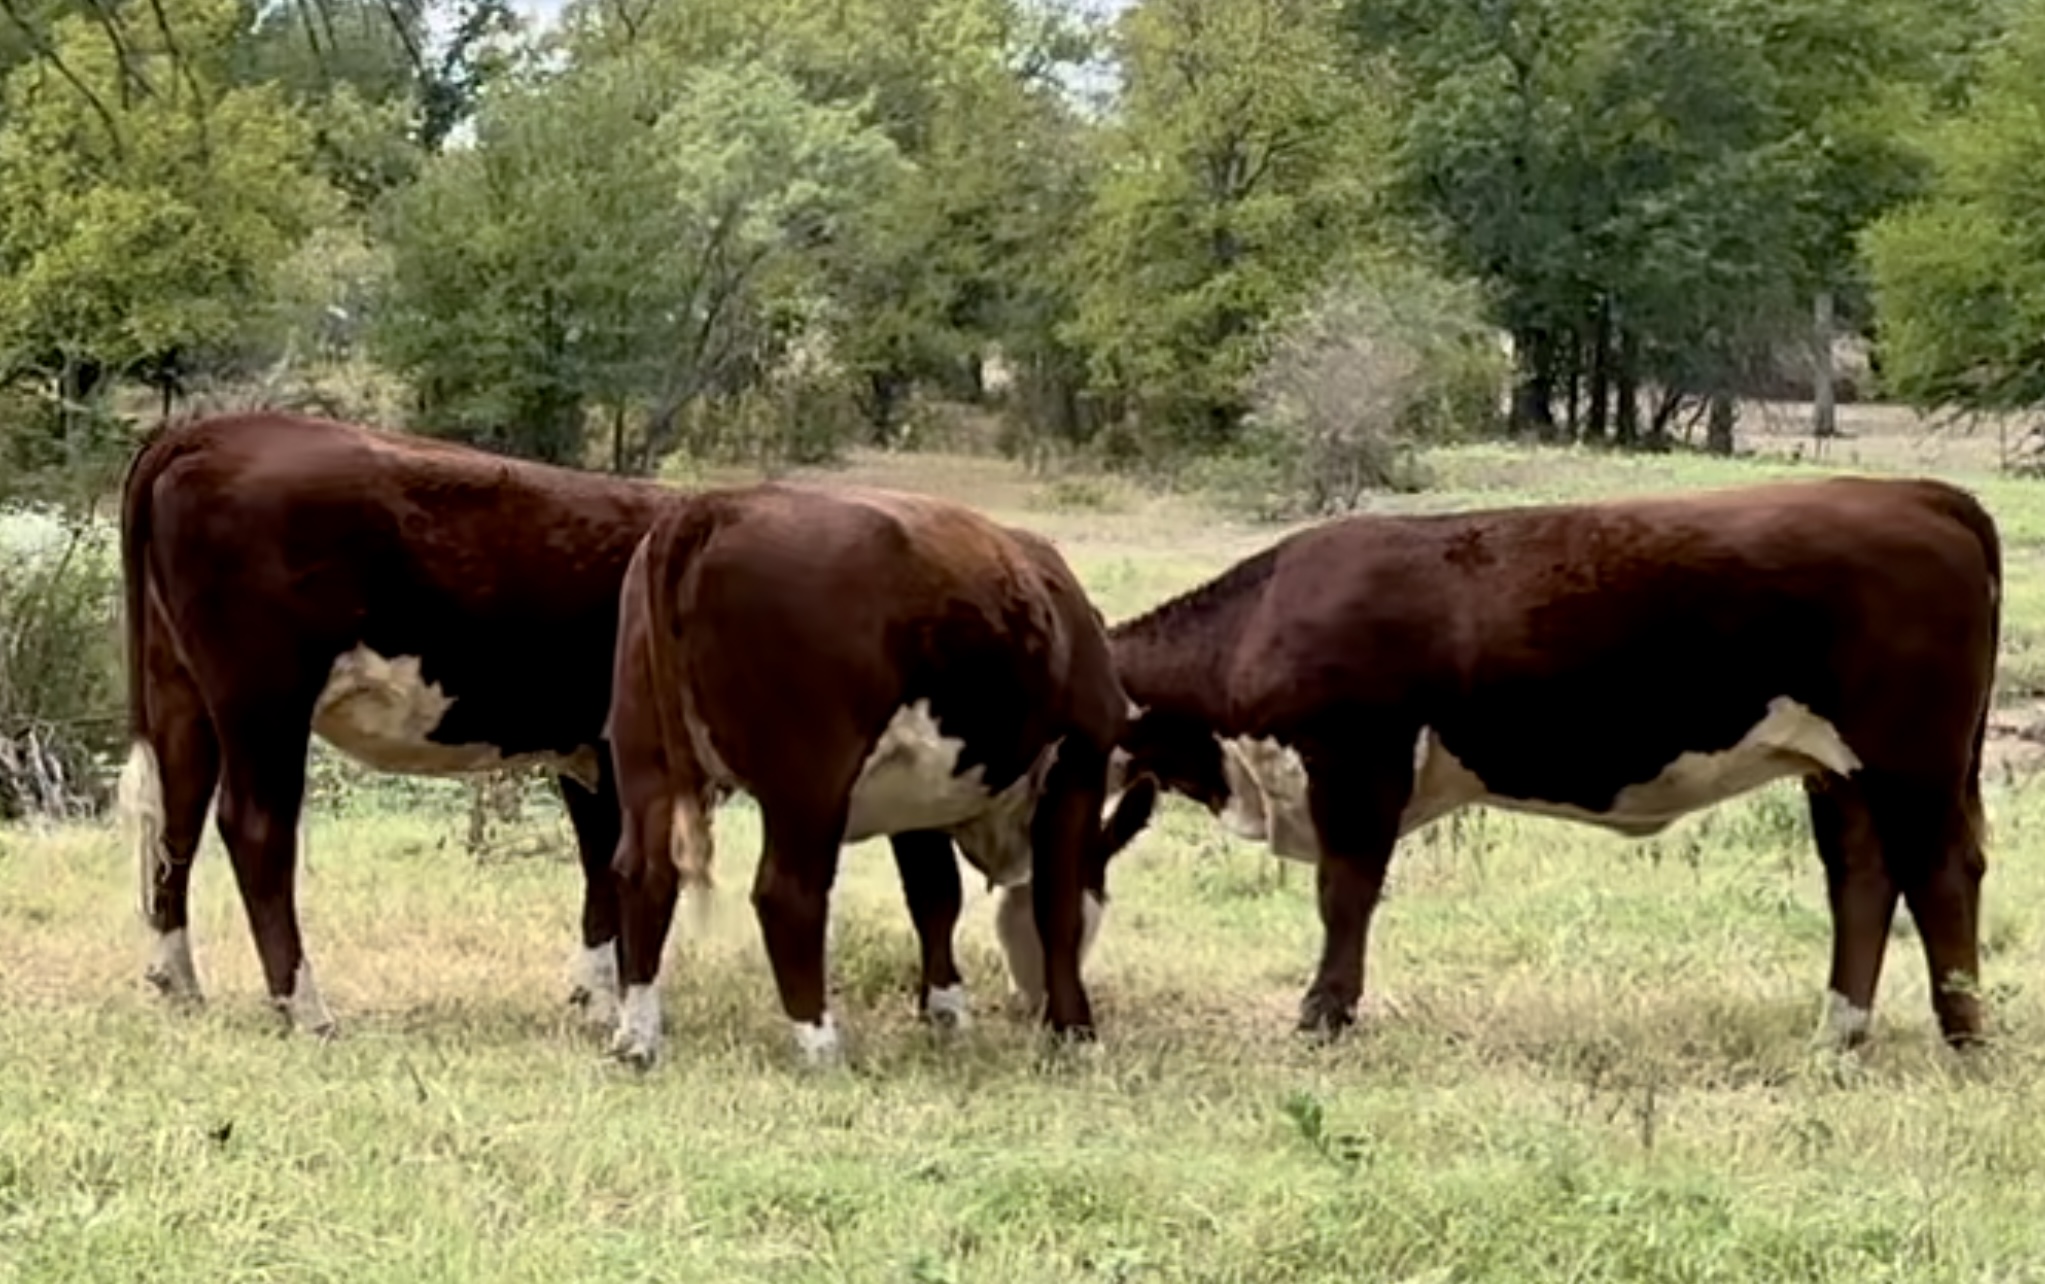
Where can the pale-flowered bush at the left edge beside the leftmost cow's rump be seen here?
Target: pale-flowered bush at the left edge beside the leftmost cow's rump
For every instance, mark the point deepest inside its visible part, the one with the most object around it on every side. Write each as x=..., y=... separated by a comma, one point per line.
x=60, y=661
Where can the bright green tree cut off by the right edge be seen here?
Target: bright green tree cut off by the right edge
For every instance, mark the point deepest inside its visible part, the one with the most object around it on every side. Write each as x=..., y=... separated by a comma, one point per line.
x=1960, y=275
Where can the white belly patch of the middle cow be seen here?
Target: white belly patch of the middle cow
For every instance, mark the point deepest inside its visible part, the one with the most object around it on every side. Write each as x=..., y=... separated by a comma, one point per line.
x=911, y=782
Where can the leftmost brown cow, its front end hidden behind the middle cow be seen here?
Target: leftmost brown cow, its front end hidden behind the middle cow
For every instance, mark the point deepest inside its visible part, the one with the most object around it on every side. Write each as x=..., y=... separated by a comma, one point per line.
x=426, y=608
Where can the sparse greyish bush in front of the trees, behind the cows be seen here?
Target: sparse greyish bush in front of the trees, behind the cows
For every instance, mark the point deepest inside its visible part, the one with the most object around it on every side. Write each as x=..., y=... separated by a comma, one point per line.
x=1355, y=387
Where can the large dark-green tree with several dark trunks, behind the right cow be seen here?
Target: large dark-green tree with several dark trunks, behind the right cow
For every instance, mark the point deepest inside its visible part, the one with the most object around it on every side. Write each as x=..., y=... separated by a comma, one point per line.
x=1655, y=189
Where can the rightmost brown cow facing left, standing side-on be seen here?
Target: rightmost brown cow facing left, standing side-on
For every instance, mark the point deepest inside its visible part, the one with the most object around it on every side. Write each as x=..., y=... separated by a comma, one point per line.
x=1617, y=663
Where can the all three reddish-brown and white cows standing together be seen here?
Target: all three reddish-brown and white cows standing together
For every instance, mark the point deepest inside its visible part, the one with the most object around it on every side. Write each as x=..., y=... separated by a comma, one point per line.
x=870, y=663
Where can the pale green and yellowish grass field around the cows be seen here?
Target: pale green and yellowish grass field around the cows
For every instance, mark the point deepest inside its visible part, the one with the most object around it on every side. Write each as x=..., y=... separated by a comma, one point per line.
x=1586, y=1060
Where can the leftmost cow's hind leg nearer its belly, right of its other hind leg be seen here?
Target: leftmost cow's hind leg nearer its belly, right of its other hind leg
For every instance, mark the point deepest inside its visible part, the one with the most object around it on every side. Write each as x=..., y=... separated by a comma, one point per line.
x=263, y=790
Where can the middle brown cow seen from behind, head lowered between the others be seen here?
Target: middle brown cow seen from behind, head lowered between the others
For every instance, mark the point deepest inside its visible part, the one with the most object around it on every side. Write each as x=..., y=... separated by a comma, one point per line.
x=864, y=663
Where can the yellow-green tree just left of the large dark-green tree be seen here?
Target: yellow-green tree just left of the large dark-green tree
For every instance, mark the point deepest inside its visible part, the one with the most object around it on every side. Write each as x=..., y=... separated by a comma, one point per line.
x=1242, y=169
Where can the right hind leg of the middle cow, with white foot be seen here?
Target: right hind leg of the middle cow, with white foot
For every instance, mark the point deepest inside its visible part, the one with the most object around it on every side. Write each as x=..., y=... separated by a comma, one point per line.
x=792, y=899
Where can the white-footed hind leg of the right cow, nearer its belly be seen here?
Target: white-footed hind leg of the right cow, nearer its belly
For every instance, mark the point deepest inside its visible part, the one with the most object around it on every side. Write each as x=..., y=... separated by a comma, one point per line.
x=1864, y=905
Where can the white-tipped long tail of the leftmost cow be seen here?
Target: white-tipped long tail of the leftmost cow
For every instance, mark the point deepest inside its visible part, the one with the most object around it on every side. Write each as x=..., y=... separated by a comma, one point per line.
x=140, y=790
